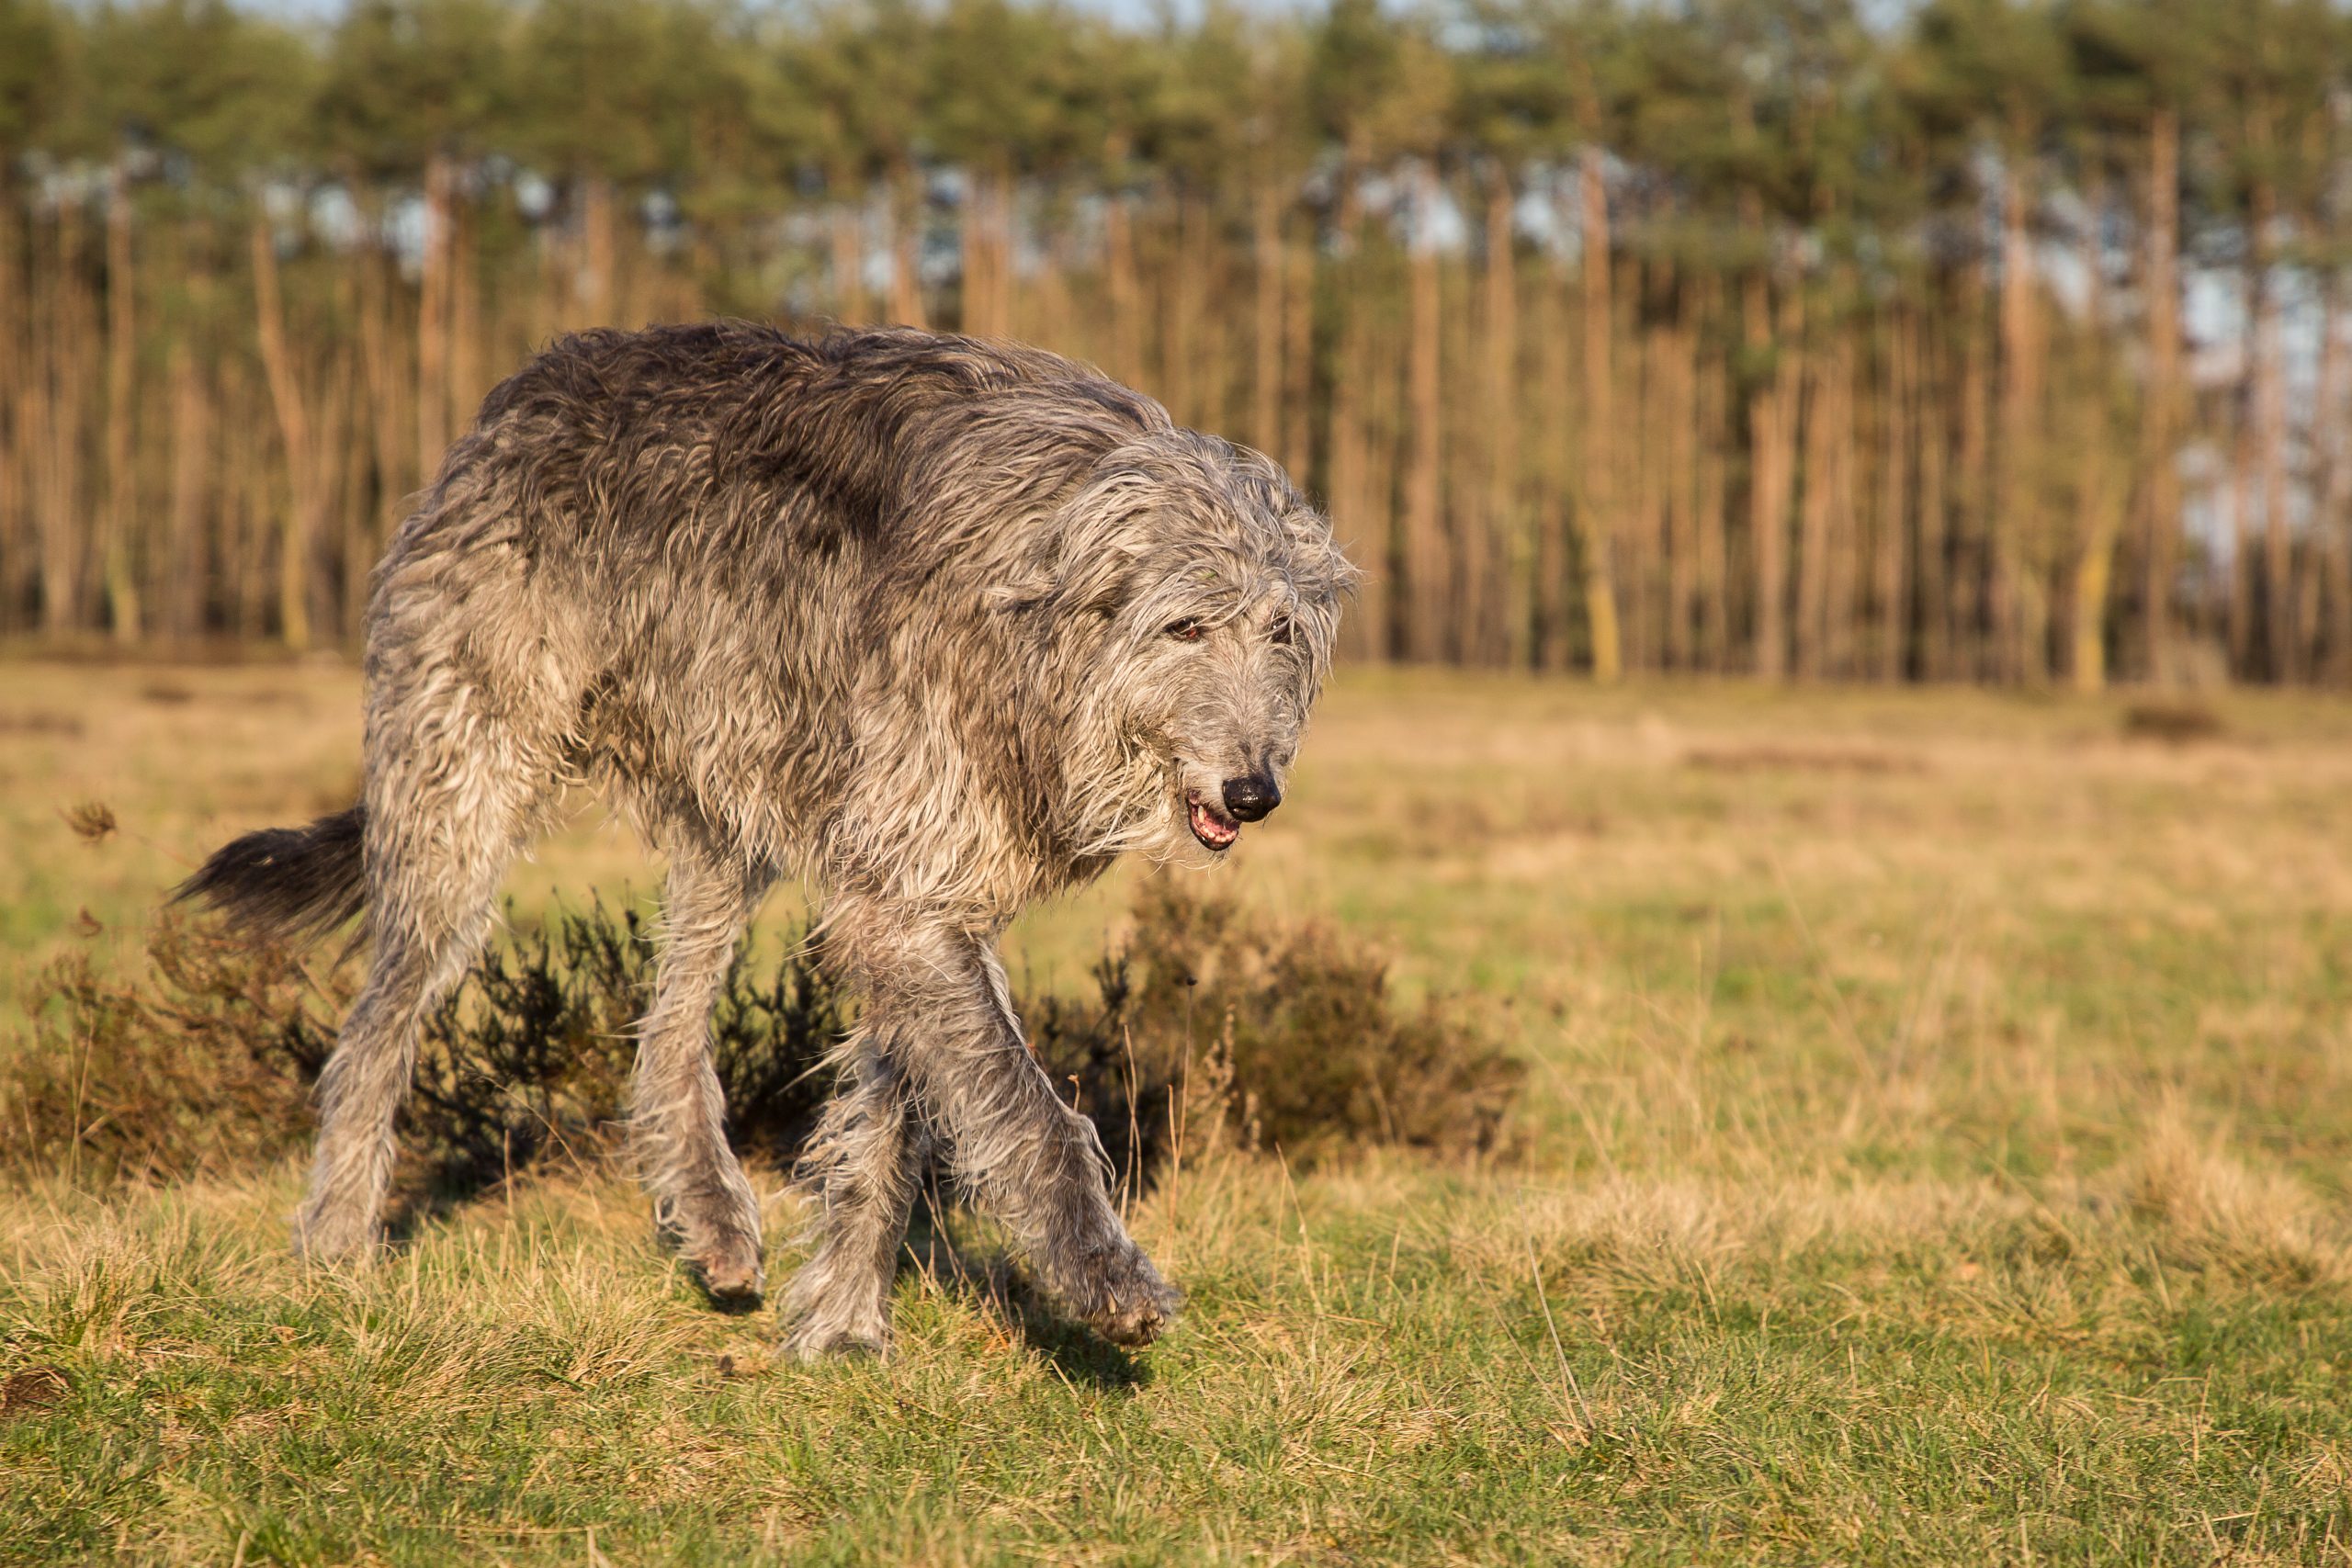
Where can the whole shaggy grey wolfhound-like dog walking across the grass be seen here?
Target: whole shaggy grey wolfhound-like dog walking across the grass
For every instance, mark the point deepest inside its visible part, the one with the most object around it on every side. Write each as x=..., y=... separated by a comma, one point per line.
x=942, y=626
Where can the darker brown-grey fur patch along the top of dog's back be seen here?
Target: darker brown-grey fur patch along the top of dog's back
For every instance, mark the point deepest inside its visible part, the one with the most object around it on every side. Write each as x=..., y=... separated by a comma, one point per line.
x=754, y=448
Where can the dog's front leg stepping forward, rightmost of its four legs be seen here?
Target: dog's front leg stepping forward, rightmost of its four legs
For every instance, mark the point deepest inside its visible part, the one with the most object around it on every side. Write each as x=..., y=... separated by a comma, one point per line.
x=940, y=1014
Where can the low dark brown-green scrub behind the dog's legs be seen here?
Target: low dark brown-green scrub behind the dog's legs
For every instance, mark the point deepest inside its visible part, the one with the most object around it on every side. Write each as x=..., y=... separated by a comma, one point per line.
x=1236, y=1028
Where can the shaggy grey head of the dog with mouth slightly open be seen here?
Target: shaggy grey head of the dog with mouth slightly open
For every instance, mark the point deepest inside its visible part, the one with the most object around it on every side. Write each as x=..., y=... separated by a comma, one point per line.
x=1196, y=598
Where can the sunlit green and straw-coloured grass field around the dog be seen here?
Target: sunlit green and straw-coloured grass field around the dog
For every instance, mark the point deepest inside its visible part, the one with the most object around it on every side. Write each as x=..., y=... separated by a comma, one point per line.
x=1939, y=1148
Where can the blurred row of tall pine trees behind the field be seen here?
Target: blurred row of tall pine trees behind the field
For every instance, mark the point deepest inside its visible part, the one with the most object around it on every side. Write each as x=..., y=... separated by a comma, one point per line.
x=1993, y=340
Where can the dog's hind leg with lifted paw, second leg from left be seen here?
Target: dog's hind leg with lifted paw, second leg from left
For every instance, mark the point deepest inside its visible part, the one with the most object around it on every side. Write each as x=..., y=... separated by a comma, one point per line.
x=679, y=1111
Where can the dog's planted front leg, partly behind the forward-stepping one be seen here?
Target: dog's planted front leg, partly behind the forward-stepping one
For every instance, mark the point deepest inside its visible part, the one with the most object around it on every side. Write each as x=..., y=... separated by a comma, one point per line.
x=867, y=1167
